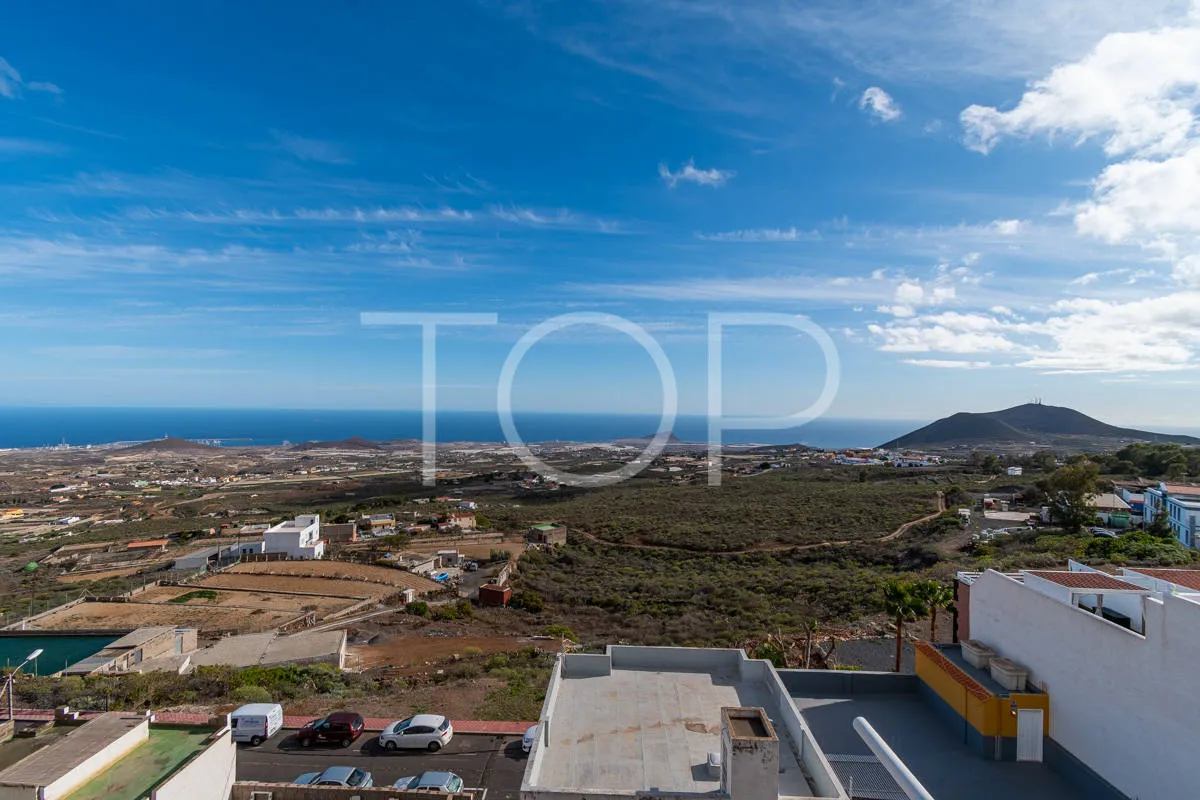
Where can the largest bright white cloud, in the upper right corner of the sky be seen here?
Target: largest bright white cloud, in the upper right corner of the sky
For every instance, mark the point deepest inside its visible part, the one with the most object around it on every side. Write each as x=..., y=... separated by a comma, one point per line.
x=1139, y=95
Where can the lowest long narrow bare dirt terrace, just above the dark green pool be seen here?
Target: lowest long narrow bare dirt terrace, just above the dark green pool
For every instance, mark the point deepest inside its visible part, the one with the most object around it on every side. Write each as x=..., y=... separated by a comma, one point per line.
x=131, y=616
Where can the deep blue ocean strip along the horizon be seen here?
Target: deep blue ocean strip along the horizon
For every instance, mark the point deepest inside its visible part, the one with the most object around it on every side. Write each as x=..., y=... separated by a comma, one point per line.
x=47, y=426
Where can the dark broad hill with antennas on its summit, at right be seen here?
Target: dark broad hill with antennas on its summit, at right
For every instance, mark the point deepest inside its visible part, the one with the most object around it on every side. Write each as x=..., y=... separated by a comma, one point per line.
x=1031, y=425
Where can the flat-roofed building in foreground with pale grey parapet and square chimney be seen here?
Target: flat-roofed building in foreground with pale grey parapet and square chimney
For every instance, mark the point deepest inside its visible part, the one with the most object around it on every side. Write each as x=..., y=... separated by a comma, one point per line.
x=673, y=723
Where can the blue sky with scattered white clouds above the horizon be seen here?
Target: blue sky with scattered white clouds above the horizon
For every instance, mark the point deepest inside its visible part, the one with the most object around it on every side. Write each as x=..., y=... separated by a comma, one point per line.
x=982, y=203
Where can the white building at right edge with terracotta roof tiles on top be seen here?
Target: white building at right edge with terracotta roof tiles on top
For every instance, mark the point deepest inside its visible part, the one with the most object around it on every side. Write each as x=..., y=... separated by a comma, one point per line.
x=1114, y=654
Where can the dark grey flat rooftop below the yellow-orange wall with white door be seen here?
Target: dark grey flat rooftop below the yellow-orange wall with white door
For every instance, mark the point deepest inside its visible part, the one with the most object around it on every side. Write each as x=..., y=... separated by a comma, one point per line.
x=927, y=745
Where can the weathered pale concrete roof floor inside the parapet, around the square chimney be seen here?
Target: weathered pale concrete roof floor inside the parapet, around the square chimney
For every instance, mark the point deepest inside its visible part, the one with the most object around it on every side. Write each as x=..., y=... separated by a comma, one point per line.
x=640, y=730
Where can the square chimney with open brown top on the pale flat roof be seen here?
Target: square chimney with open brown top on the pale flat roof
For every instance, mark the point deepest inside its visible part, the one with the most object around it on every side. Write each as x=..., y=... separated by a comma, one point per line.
x=749, y=755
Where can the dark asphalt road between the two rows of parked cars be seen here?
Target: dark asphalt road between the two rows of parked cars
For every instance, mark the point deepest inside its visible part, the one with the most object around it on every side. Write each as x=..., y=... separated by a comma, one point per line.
x=493, y=762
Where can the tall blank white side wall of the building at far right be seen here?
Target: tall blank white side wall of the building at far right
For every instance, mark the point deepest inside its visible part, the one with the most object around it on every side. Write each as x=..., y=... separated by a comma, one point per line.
x=1118, y=700
